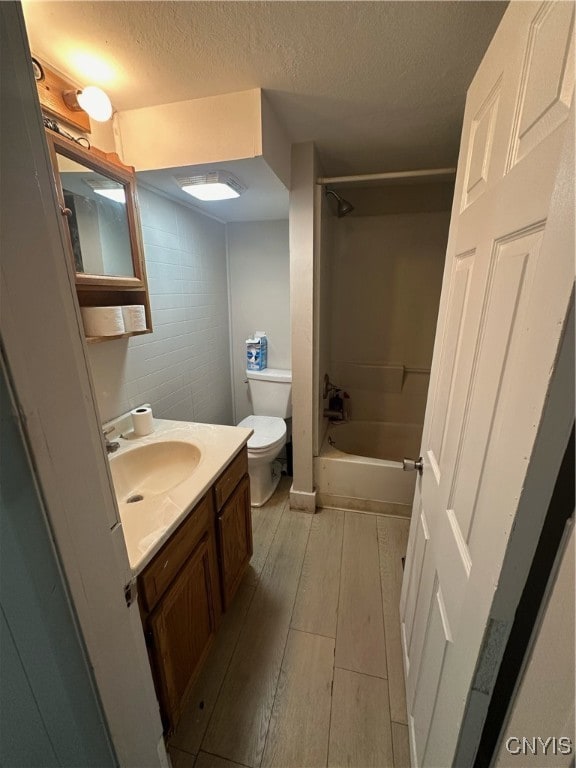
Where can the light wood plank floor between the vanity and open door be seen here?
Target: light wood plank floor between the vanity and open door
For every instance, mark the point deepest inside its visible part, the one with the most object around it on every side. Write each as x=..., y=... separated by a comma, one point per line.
x=307, y=670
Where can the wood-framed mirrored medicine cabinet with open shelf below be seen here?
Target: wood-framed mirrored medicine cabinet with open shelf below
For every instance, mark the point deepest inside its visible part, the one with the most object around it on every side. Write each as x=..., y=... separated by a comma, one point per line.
x=99, y=205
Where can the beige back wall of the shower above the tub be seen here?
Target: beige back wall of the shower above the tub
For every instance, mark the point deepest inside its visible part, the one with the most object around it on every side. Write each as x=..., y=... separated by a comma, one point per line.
x=387, y=265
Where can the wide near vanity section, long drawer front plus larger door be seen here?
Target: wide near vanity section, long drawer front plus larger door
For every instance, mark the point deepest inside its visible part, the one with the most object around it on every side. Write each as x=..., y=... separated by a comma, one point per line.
x=181, y=608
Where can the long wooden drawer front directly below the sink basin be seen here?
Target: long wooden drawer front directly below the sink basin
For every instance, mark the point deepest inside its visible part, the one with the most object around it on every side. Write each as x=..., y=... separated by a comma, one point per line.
x=158, y=575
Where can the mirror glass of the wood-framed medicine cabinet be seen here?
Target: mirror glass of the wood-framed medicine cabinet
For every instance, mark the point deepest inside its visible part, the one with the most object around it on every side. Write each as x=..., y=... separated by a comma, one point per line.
x=98, y=220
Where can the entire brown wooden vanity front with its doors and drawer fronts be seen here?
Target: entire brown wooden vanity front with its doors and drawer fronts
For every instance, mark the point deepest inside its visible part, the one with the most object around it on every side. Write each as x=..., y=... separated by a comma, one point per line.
x=181, y=592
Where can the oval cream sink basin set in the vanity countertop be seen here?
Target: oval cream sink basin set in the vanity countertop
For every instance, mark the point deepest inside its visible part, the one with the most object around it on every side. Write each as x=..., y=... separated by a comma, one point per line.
x=152, y=469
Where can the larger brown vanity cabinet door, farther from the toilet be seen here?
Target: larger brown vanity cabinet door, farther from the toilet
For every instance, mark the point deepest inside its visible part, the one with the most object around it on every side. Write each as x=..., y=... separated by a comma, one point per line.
x=182, y=628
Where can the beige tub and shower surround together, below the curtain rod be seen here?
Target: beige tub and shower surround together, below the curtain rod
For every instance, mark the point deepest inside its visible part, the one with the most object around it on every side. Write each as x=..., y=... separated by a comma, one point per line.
x=380, y=334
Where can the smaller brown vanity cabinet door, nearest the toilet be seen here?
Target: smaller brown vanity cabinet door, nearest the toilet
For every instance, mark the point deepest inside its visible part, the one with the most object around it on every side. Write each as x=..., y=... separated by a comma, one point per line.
x=235, y=539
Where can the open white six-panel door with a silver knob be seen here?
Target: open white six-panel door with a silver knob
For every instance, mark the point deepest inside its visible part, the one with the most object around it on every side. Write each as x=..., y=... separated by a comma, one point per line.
x=504, y=304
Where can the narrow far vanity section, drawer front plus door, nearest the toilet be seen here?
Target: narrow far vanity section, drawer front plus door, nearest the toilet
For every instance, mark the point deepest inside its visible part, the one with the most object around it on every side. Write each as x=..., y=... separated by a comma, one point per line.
x=233, y=525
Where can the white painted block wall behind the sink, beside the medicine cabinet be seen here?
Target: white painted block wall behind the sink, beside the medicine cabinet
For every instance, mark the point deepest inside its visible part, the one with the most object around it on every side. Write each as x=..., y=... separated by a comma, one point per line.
x=183, y=367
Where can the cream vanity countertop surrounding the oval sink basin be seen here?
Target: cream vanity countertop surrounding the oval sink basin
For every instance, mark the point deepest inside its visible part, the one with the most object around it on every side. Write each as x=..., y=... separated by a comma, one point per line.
x=147, y=524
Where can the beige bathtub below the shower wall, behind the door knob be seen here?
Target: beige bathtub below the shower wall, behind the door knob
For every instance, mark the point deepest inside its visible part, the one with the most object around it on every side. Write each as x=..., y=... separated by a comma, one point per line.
x=360, y=467
